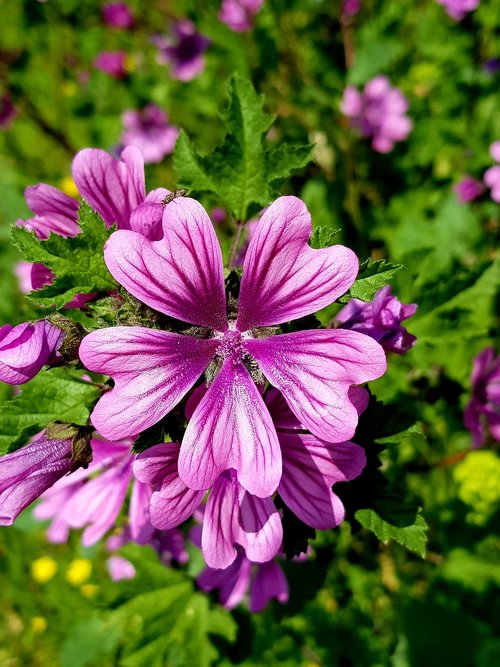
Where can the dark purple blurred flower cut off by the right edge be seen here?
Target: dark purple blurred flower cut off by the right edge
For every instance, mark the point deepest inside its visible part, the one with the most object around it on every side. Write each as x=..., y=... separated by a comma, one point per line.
x=482, y=414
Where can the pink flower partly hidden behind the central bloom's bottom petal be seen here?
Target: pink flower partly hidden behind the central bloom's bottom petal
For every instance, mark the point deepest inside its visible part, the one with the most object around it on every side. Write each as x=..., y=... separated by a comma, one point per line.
x=235, y=519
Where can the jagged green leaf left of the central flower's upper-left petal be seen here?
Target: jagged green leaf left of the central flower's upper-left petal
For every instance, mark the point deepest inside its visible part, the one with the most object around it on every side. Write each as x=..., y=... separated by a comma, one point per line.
x=77, y=262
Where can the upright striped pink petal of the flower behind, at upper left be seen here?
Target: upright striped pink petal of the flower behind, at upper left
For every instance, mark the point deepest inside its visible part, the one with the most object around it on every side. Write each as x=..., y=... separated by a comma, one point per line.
x=113, y=187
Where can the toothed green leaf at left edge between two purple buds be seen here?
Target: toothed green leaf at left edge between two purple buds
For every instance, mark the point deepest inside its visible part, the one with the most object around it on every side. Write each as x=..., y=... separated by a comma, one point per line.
x=52, y=395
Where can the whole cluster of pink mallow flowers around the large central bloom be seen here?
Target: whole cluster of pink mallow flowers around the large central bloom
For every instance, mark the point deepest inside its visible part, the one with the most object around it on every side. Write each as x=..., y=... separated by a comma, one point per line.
x=245, y=440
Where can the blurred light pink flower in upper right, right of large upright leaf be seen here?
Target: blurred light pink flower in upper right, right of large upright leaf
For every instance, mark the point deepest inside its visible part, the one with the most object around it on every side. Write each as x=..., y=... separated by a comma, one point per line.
x=378, y=112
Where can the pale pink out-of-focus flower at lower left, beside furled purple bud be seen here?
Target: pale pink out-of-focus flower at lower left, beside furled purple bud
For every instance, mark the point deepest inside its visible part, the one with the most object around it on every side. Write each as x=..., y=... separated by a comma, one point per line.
x=93, y=498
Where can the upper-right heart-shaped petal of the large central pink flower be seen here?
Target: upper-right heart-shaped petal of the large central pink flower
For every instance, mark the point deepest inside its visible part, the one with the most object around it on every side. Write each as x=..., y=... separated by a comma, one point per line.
x=283, y=277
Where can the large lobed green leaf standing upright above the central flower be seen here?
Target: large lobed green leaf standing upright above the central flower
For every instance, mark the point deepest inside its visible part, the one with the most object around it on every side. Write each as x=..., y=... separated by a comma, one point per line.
x=241, y=171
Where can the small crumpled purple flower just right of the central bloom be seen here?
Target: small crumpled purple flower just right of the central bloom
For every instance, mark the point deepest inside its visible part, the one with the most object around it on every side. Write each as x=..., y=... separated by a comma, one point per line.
x=381, y=319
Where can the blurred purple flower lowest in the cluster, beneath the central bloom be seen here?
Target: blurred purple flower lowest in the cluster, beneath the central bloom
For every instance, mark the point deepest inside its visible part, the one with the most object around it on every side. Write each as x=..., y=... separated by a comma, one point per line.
x=265, y=581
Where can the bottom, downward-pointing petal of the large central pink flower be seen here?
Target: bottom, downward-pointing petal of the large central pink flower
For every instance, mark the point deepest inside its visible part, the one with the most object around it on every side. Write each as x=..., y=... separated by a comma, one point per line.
x=231, y=428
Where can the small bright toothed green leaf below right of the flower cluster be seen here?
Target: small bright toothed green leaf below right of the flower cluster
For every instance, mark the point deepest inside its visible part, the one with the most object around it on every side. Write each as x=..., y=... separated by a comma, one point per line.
x=406, y=527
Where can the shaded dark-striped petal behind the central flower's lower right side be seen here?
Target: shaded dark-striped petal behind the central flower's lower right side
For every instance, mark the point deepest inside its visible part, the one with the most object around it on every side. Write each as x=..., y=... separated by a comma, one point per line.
x=310, y=467
